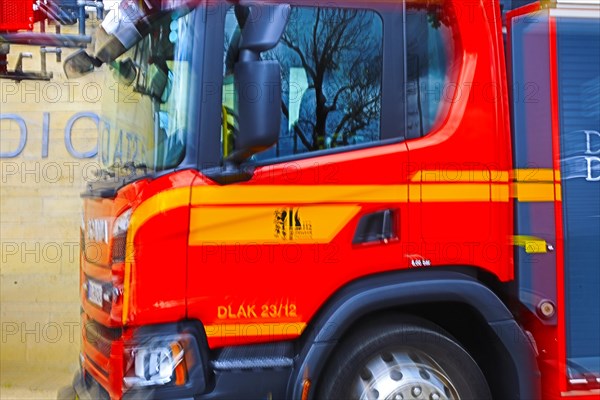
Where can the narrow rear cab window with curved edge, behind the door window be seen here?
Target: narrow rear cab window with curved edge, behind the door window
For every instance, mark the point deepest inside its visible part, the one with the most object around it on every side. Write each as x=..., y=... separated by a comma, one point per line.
x=429, y=56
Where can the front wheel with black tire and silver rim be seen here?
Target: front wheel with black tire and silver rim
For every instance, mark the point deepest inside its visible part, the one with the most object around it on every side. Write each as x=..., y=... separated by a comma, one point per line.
x=402, y=358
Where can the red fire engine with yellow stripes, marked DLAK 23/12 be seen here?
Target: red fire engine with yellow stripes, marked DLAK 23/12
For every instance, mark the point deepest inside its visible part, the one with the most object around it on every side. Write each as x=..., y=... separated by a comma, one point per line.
x=371, y=200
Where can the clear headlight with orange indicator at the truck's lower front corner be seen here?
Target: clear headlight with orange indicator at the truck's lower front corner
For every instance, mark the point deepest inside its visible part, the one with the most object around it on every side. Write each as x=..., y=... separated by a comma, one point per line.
x=156, y=364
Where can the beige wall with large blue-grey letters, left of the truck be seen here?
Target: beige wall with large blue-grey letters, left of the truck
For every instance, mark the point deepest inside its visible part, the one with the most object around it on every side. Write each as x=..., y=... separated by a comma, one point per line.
x=40, y=214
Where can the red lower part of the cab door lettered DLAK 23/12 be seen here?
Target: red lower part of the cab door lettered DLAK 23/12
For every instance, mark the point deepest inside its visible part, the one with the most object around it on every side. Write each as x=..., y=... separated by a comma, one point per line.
x=269, y=275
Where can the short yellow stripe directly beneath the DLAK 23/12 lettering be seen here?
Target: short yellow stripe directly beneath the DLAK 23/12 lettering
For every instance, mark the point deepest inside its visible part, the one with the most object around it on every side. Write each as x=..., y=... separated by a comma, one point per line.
x=292, y=329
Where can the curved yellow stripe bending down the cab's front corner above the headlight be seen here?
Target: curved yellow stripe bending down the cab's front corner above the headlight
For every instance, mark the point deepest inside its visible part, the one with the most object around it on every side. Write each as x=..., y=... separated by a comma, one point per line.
x=160, y=203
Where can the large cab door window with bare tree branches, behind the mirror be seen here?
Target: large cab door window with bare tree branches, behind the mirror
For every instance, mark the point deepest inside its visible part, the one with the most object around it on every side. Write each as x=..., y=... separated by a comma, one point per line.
x=331, y=62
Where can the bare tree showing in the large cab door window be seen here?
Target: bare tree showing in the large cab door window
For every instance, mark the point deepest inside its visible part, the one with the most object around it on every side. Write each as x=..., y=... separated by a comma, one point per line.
x=342, y=60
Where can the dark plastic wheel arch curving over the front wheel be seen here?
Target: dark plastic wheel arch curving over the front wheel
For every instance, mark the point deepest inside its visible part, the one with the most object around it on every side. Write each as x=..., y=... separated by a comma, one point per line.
x=431, y=295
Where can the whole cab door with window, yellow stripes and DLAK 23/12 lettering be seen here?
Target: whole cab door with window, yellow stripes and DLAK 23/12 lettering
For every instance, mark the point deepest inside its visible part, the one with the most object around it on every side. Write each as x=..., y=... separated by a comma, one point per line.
x=328, y=204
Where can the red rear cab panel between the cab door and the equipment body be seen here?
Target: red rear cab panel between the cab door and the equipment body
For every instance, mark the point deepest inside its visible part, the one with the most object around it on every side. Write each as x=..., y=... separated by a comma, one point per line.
x=473, y=137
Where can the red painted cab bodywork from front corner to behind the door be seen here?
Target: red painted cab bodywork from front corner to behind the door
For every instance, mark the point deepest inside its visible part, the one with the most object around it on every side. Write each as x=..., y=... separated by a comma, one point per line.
x=227, y=282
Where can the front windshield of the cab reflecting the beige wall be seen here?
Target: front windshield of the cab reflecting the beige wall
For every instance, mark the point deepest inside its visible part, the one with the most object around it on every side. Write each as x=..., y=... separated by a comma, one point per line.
x=145, y=120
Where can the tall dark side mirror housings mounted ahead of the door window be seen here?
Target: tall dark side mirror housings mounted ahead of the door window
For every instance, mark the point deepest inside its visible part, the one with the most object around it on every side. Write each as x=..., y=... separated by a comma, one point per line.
x=257, y=82
